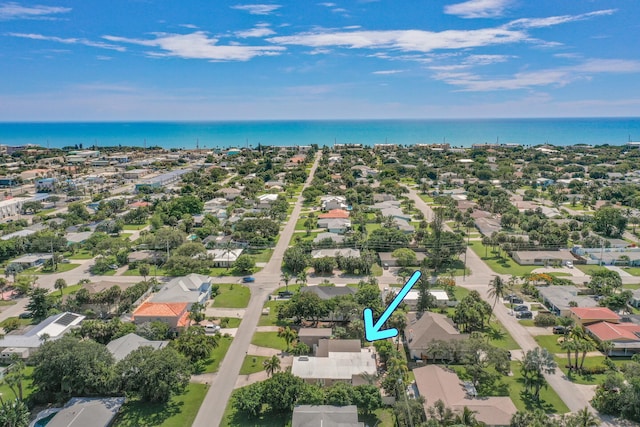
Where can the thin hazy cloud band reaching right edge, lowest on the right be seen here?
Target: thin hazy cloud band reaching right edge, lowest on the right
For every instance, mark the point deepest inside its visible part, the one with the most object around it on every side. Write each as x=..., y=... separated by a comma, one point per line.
x=557, y=77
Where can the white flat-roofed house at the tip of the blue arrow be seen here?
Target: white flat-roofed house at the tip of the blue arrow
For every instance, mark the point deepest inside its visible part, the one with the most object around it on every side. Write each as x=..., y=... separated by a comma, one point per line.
x=353, y=368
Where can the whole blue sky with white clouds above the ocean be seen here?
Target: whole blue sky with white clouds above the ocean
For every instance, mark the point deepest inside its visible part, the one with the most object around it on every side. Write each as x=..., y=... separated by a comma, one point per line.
x=343, y=59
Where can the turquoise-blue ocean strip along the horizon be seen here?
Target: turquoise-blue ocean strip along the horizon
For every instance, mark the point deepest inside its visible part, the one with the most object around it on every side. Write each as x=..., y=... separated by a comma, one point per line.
x=464, y=133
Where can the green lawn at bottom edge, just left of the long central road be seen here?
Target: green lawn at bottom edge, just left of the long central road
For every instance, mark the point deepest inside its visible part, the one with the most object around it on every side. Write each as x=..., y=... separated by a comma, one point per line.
x=179, y=411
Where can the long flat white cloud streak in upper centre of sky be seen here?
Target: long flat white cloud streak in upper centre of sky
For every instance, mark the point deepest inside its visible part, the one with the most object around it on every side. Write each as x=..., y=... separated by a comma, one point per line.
x=405, y=40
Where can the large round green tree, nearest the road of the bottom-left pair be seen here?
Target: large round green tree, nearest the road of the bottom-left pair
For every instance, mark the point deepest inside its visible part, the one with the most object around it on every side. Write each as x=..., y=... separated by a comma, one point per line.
x=153, y=375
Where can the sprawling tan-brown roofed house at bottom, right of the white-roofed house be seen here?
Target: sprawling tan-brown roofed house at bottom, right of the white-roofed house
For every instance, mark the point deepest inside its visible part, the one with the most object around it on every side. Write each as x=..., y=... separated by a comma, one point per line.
x=435, y=383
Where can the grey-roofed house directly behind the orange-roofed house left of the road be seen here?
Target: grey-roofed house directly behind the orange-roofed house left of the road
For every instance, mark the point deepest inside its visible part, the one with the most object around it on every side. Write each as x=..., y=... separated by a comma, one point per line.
x=188, y=289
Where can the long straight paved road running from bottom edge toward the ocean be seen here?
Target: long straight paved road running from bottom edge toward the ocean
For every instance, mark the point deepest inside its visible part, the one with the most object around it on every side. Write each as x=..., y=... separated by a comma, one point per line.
x=267, y=280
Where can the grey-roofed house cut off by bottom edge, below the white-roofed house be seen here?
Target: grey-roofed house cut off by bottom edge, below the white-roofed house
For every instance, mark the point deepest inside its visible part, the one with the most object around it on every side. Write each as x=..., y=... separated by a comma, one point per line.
x=325, y=416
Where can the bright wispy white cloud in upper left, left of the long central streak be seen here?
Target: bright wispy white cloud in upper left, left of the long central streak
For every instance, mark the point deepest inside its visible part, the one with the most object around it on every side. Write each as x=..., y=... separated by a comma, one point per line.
x=199, y=46
